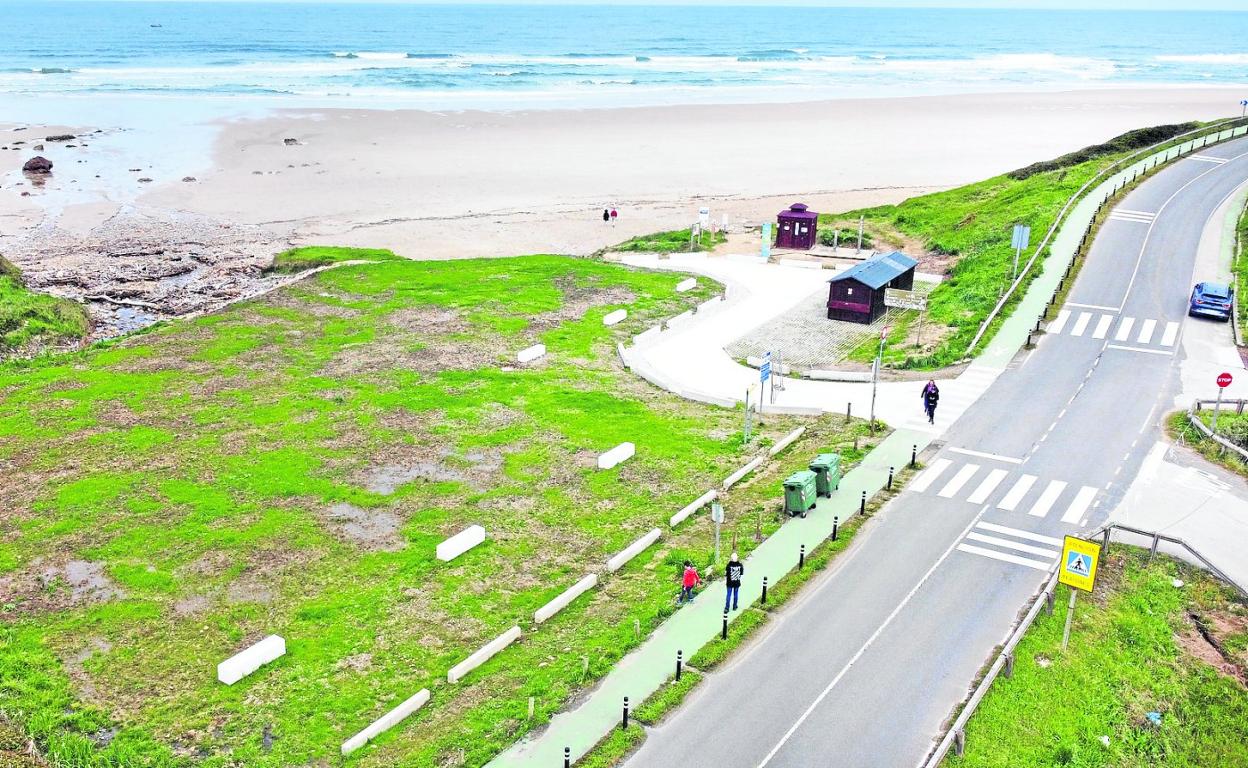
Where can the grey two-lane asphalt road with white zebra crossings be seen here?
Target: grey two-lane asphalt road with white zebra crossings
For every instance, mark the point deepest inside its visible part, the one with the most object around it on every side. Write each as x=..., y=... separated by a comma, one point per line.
x=868, y=665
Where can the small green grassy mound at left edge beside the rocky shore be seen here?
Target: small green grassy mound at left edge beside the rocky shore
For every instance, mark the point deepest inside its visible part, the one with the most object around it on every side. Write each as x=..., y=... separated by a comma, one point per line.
x=29, y=320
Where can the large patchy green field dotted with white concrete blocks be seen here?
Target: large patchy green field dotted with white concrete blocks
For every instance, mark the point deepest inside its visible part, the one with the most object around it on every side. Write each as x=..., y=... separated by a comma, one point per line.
x=289, y=465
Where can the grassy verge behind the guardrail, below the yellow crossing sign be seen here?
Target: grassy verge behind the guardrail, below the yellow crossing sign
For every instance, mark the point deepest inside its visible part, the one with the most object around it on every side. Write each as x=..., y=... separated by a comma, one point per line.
x=1139, y=645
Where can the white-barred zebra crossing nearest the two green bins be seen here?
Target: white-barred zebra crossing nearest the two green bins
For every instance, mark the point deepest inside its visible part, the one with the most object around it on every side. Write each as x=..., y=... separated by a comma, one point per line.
x=1023, y=493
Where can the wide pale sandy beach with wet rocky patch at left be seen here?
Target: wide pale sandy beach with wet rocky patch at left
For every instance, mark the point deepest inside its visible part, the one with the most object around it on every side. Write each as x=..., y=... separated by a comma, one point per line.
x=446, y=185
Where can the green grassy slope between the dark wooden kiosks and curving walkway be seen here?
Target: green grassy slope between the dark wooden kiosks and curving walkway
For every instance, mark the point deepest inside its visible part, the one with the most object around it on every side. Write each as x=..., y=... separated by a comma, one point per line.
x=969, y=229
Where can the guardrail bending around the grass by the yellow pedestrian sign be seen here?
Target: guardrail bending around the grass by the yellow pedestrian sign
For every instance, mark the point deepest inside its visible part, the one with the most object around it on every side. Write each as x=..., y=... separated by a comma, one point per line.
x=955, y=739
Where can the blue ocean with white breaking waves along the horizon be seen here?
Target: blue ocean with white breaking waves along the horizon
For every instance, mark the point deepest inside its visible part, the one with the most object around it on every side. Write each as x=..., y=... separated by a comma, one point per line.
x=447, y=57
